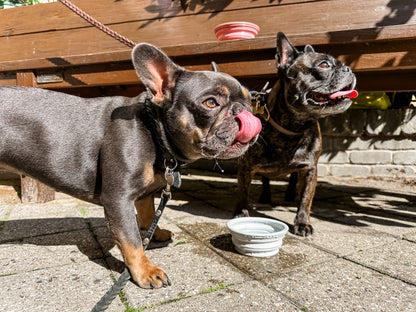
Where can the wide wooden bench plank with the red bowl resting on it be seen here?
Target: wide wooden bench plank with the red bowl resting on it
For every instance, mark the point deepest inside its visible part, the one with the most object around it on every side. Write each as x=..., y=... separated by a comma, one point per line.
x=316, y=16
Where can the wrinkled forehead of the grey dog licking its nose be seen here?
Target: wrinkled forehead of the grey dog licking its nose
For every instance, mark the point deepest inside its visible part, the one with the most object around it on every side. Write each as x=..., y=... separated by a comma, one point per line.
x=208, y=83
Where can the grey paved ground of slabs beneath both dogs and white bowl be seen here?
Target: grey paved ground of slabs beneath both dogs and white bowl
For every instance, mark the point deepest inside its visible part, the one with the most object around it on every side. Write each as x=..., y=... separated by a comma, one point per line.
x=355, y=261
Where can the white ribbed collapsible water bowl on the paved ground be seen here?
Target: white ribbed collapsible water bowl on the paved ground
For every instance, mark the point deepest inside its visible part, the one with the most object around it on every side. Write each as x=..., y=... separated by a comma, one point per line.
x=257, y=237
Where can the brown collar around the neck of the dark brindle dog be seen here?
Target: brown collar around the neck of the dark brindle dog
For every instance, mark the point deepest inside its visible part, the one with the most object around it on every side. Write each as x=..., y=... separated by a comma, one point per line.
x=259, y=105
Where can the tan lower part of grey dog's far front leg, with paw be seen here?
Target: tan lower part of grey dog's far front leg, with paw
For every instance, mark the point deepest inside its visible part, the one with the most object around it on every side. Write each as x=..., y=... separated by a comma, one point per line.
x=145, y=213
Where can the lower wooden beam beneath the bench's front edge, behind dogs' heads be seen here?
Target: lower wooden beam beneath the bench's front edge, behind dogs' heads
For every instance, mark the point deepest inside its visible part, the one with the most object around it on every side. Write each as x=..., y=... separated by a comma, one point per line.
x=253, y=65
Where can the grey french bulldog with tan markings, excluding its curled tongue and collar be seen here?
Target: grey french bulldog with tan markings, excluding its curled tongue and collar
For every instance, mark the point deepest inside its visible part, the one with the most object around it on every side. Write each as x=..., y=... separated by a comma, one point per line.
x=101, y=149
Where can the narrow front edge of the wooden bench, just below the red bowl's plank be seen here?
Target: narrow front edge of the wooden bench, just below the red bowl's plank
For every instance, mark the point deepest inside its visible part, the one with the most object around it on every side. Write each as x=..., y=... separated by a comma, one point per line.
x=342, y=39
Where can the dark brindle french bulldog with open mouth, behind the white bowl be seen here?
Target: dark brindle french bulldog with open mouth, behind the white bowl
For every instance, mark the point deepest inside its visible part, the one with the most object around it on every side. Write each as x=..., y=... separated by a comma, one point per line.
x=310, y=86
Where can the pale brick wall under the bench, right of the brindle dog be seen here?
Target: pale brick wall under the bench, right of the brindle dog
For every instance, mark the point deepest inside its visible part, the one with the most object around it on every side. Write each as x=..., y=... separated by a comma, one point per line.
x=369, y=143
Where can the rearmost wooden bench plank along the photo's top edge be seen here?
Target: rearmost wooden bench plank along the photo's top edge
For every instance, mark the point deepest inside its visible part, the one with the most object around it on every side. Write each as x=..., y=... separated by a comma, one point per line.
x=55, y=16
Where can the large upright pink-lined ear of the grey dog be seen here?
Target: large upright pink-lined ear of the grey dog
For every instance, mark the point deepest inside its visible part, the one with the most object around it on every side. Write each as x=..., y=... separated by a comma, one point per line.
x=156, y=71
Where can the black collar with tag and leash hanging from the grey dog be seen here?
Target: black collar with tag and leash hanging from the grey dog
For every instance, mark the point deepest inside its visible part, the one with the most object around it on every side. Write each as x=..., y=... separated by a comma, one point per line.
x=173, y=178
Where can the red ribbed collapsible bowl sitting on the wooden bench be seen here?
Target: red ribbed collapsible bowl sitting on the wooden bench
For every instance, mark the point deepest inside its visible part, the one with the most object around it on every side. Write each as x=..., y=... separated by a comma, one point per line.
x=236, y=30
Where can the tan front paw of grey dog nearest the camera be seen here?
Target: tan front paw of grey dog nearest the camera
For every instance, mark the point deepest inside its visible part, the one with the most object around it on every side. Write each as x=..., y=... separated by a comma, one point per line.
x=150, y=276
